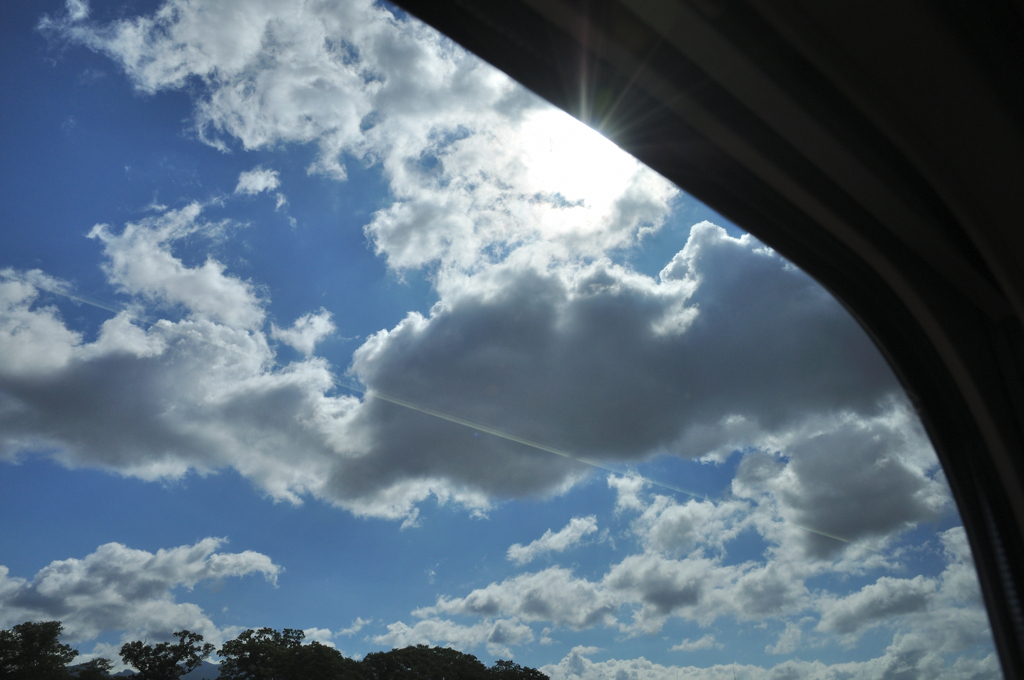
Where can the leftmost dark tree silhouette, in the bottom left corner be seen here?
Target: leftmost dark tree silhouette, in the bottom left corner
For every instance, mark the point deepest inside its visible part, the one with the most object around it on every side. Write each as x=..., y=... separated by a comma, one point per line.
x=32, y=652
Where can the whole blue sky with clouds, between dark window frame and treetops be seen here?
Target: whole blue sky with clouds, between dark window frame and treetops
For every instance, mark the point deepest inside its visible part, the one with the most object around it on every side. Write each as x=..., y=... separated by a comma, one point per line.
x=311, y=320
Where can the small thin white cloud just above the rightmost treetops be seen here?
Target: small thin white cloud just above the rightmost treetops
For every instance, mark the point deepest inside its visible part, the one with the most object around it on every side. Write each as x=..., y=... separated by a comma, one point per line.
x=498, y=636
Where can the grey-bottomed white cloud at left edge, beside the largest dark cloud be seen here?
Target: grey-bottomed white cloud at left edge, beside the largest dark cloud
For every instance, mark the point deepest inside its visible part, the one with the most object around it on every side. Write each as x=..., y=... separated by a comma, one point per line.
x=156, y=400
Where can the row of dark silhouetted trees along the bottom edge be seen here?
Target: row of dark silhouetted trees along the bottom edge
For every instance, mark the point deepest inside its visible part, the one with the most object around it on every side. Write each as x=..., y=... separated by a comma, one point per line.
x=33, y=652
